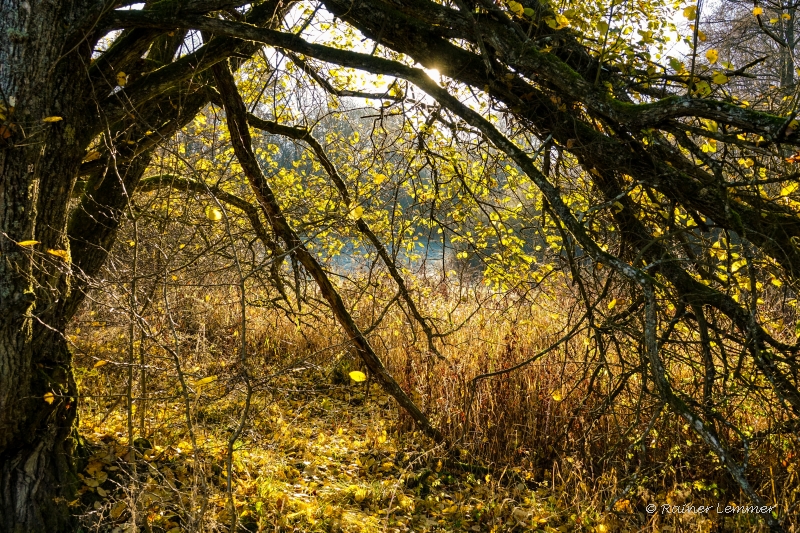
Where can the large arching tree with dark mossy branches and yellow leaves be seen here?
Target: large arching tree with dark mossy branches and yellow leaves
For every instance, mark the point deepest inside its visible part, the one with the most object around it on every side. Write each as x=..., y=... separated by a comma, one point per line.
x=682, y=194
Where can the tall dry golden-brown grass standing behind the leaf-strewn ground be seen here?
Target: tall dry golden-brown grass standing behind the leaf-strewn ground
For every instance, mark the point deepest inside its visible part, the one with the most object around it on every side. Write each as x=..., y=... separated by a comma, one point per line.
x=561, y=424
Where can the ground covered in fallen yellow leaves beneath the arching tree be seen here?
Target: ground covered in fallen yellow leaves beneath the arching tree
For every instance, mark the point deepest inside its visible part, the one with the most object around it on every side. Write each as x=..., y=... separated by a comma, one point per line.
x=312, y=460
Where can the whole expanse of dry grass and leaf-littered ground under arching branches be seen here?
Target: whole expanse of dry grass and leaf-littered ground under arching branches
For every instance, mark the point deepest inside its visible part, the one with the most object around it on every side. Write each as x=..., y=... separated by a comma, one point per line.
x=542, y=448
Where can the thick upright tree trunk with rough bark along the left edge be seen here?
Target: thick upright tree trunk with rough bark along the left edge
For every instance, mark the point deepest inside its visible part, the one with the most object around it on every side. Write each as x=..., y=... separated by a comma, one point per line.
x=43, y=51
